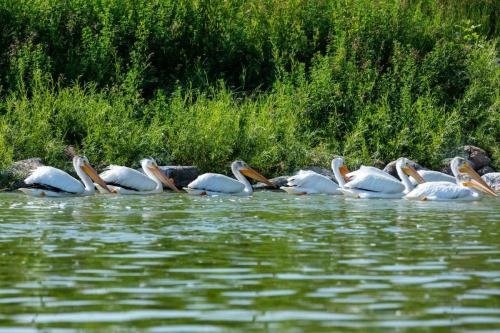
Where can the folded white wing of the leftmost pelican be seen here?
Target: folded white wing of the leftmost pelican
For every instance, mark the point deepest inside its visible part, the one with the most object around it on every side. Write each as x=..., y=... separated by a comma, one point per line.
x=54, y=178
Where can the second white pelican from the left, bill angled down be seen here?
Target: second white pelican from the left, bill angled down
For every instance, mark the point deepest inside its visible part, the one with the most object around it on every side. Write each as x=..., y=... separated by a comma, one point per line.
x=125, y=180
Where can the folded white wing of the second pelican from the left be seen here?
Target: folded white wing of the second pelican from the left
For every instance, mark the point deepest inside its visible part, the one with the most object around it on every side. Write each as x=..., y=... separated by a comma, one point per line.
x=127, y=178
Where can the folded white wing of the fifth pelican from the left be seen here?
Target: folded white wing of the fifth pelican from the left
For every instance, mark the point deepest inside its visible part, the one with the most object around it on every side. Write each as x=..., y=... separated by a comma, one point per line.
x=366, y=179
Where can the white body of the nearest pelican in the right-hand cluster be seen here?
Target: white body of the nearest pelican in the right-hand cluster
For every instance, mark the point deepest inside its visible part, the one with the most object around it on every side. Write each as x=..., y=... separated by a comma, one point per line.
x=441, y=191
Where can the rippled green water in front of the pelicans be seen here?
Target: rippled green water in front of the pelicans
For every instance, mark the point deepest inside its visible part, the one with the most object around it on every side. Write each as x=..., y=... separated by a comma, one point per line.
x=269, y=263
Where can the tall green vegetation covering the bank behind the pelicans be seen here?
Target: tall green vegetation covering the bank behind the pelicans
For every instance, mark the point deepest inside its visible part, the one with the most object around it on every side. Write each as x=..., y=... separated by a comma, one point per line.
x=280, y=84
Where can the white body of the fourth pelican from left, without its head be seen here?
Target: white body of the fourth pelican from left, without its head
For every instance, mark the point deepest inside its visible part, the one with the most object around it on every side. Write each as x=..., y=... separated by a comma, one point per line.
x=310, y=182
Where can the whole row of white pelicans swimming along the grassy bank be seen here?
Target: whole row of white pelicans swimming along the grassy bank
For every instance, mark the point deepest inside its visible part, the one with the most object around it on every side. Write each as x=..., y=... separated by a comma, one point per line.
x=365, y=183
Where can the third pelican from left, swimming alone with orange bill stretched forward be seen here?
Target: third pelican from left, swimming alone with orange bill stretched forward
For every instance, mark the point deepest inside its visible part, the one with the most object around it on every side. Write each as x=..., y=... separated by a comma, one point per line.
x=216, y=184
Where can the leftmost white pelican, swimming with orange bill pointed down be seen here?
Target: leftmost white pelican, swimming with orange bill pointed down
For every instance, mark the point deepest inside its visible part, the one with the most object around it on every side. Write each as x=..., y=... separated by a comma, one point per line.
x=52, y=182
